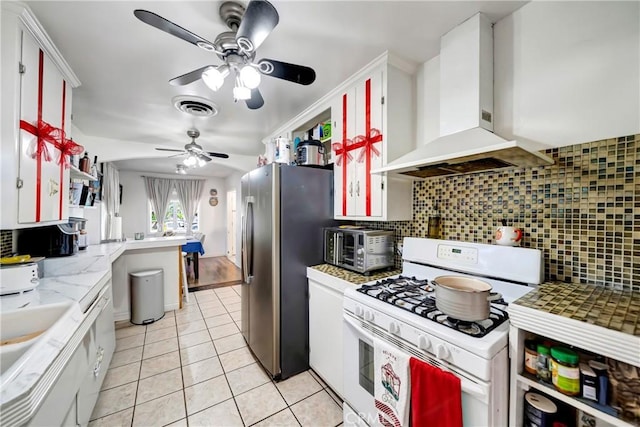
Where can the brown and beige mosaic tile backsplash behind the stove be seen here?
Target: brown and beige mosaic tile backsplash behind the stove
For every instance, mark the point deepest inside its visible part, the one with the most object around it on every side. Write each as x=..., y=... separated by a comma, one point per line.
x=583, y=212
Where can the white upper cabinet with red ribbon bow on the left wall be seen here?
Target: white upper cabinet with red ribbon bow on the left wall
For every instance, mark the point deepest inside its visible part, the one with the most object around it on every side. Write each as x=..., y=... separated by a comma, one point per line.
x=36, y=88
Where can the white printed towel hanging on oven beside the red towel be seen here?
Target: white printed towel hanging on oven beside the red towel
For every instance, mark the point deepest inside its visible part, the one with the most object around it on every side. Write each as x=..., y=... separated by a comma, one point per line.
x=391, y=384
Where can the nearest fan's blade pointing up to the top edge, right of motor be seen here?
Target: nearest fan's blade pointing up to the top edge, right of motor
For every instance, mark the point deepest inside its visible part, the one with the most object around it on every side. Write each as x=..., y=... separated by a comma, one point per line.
x=259, y=19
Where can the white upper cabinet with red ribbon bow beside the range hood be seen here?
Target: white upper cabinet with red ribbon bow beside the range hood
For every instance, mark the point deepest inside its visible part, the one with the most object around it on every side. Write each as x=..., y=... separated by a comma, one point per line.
x=373, y=122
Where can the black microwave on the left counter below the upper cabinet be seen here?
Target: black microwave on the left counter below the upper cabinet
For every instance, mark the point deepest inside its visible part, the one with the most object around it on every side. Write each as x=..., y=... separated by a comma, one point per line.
x=49, y=241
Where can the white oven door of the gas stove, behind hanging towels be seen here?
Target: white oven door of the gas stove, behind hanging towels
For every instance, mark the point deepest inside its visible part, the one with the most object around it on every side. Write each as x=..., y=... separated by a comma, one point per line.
x=359, y=379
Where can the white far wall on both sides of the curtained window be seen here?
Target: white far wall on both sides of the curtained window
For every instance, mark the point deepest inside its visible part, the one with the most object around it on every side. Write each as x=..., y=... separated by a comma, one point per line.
x=135, y=210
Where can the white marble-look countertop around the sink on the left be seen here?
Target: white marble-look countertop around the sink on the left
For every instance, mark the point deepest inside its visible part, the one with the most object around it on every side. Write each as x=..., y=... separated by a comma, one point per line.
x=77, y=278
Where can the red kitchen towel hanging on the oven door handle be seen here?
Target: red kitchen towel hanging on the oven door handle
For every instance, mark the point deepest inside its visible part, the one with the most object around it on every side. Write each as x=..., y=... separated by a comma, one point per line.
x=436, y=396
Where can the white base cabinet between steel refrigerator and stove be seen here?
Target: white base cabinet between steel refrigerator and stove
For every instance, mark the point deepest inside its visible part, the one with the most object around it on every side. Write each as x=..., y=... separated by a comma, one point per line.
x=325, y=327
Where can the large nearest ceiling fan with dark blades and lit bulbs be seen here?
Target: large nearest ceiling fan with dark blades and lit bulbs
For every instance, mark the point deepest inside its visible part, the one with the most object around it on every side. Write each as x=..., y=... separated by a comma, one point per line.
x=237, y=49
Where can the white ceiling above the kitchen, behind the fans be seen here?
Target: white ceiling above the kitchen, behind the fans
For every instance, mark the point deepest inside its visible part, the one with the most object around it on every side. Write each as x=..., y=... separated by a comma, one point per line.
x=124, y=66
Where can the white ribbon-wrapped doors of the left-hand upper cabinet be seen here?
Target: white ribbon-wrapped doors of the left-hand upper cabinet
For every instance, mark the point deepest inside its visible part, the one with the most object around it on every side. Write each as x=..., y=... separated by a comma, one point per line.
x=44, y=193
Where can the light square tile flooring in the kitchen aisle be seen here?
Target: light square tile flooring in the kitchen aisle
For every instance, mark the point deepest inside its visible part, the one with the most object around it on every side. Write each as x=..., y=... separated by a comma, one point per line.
x=193, y=368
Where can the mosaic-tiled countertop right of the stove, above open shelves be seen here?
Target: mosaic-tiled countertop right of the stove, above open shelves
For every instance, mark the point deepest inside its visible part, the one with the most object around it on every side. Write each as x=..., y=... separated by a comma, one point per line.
x=612, y=309
